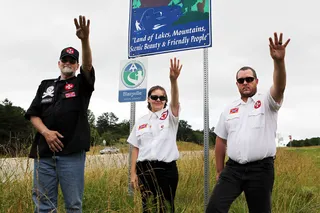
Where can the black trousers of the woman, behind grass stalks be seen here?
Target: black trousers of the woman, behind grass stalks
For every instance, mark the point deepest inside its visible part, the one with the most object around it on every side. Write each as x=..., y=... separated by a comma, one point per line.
x=158, y=183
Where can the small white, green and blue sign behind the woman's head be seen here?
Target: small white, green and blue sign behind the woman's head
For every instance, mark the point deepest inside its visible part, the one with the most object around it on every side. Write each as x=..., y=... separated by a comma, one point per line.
x=133, y=81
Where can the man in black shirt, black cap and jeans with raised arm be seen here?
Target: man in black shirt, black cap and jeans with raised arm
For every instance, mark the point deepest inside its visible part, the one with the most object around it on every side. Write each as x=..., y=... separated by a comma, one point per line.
x=59, y=113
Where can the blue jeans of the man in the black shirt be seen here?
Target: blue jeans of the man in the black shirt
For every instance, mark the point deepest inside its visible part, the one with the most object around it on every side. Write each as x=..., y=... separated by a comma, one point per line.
x=49, y=172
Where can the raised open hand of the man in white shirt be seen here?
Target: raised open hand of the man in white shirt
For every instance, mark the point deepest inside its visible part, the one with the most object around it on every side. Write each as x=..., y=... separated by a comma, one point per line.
x=277, y=49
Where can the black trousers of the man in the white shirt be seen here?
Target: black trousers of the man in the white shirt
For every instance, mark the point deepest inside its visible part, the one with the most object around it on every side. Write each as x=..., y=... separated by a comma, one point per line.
x=255, y=179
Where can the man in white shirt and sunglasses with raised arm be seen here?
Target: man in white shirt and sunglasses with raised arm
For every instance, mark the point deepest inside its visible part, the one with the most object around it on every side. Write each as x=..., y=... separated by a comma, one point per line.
x=248, y=128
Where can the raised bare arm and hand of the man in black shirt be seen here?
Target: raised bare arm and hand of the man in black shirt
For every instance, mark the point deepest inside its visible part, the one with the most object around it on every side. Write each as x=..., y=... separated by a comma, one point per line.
x=83, y=30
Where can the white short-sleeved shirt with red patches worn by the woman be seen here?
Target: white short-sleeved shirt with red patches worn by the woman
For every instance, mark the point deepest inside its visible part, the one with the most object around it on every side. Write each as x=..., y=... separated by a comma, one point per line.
x=155, y=135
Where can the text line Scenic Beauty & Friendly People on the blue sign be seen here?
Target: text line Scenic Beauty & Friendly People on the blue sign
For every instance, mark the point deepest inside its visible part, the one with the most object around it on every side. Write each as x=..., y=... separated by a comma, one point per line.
x=185, y=40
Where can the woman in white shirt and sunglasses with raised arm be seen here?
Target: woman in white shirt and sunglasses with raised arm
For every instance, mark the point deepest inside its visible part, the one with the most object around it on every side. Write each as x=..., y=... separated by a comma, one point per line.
x=153, y=162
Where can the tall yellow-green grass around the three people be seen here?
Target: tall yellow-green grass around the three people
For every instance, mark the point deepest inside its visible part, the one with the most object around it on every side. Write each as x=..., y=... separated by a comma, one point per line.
x=296, y=189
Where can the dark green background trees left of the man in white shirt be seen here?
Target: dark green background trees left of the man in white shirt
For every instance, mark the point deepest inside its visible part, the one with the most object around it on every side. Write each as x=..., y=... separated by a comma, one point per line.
x=17, y=133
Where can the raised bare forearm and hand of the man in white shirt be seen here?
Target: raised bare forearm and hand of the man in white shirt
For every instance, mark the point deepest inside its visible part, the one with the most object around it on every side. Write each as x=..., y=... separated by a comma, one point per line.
x=277, y=52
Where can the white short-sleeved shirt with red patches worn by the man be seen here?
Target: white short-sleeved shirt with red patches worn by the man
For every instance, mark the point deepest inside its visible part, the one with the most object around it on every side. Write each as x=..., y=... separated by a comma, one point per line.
x=250, y=128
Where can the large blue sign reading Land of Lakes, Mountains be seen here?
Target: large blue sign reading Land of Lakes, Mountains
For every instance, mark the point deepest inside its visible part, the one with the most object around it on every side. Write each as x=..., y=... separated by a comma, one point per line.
x=161, y=26
